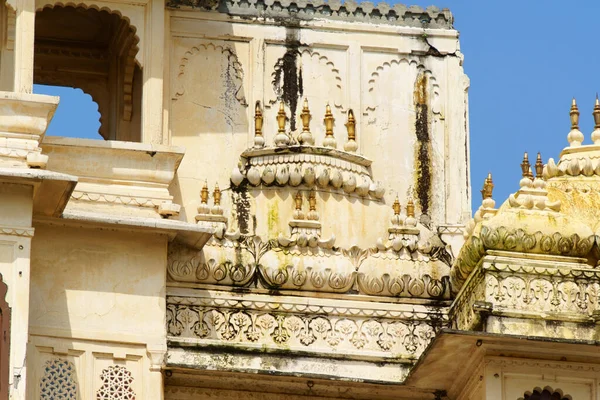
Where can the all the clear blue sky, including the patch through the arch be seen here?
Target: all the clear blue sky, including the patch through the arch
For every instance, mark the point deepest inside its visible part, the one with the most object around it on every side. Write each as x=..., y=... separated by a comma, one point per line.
x=526, y=60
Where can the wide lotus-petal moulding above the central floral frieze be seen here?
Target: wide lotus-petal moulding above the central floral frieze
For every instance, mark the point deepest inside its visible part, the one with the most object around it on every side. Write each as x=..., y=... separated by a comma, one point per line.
x=300, y=264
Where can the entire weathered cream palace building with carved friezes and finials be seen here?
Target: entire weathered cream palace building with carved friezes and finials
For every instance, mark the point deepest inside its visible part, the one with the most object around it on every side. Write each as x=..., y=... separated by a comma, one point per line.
x=281, y=210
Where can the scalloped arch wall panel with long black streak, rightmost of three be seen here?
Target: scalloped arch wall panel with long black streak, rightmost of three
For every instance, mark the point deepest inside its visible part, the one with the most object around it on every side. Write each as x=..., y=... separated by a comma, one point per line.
x=401, y=110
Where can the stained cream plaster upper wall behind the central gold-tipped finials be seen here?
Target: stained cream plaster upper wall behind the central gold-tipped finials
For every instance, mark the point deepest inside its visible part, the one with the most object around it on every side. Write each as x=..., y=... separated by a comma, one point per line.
x=219, y=69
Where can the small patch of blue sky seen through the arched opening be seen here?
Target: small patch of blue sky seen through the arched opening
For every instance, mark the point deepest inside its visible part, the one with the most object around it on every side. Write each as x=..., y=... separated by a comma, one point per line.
x=77, y=114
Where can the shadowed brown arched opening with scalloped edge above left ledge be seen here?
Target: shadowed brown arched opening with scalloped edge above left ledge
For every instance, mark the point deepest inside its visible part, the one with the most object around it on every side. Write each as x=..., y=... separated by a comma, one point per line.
x=92, y=50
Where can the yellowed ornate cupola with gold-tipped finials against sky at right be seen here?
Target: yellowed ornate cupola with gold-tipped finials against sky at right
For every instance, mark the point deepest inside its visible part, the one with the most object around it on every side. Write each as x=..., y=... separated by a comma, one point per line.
x=536, y=257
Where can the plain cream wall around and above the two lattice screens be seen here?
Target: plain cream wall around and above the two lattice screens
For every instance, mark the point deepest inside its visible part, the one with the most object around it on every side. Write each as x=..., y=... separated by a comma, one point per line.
x=97, y=301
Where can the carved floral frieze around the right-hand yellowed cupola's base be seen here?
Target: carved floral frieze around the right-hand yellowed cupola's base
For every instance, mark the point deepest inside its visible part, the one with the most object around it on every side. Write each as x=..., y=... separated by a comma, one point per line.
x=531, y=291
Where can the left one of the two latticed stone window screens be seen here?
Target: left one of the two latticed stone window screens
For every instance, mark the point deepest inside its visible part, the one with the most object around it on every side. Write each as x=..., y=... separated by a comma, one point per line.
x=58, y=381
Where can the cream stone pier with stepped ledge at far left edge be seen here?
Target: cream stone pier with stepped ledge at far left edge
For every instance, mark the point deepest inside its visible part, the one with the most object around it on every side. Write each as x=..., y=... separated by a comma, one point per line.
x=25, y=189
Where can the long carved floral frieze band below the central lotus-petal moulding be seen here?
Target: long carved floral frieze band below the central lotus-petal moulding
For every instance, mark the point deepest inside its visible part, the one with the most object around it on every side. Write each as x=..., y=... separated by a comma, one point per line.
x=316, y=330
